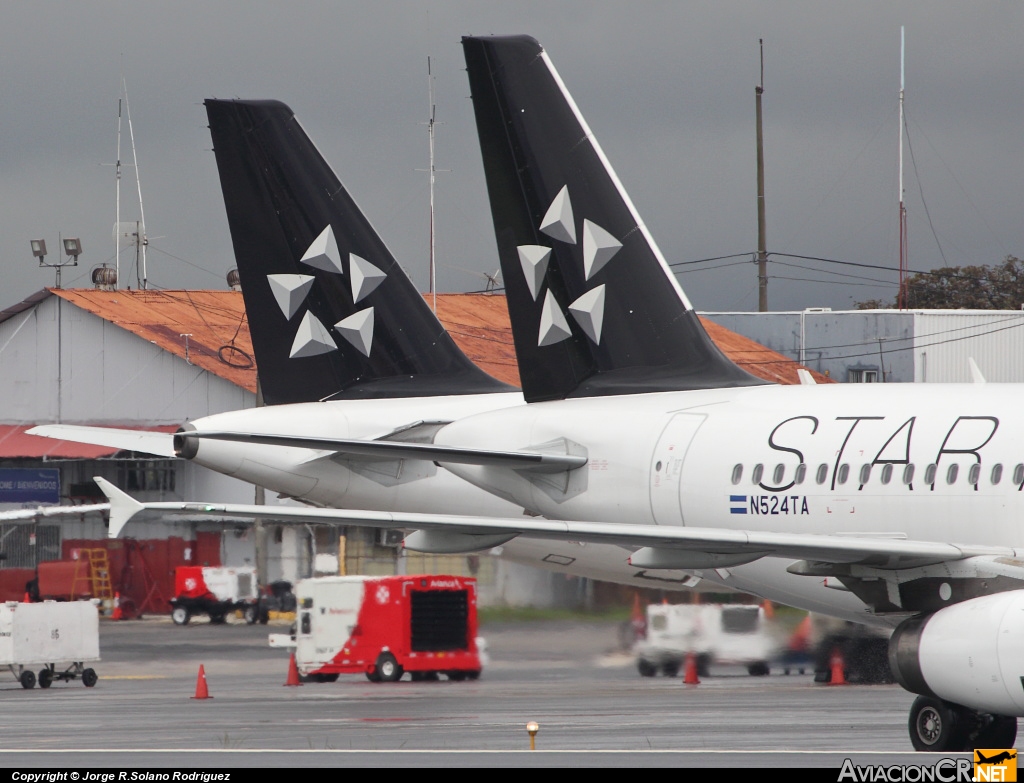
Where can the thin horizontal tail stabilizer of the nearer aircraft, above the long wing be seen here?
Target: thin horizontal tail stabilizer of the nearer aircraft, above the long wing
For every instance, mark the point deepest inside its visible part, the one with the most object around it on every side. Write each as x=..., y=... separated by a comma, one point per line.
x=535, y=462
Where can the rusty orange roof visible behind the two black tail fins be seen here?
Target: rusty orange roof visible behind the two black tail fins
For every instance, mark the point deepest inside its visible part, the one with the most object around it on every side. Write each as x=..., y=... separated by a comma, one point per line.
x=221, y=343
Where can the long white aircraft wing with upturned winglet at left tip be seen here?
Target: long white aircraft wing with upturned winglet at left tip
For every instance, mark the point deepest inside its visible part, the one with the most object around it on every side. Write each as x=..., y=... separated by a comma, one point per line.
x=687, y=548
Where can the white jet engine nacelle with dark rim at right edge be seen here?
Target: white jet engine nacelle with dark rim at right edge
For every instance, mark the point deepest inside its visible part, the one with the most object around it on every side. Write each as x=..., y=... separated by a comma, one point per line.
x=971, y=654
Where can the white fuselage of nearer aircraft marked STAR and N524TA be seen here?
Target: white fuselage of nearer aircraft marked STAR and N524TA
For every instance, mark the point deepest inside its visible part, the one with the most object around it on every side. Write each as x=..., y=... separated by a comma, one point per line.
x=730, y=459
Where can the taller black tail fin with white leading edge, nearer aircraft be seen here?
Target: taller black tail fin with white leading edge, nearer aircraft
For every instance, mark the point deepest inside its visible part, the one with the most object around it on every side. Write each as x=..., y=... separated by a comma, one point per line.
x=594, y=308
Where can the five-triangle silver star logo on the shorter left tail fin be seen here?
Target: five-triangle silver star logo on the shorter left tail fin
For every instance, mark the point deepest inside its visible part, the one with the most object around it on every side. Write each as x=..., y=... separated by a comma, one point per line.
x=290, y=291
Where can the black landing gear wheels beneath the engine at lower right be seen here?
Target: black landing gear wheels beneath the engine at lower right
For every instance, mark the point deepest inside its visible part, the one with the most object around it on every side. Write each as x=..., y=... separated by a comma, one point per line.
x=938, y=726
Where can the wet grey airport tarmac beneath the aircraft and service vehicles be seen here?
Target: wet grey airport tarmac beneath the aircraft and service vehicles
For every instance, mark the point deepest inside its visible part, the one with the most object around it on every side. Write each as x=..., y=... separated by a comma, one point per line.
x=593, y=709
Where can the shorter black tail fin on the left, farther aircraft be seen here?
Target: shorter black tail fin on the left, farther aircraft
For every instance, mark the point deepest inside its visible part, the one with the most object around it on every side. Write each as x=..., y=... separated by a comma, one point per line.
x=331, y=313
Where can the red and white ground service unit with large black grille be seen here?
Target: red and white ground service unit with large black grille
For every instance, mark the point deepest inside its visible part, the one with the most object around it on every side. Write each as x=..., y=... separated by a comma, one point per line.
x=385, y=627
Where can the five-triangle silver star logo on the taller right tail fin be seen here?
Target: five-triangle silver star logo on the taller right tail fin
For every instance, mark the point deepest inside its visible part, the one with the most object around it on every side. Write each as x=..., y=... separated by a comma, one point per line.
x=599, y=249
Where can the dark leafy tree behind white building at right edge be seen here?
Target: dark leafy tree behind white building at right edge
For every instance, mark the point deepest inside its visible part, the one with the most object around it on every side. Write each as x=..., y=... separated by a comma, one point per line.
x=971, y=288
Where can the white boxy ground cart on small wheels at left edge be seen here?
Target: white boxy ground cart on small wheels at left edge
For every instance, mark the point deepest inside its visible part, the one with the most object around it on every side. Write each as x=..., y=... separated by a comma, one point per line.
x=60, y=638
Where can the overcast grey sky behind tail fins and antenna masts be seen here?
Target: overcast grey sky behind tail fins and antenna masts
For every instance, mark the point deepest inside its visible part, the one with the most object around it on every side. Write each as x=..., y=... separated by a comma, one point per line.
x=668, y=89
